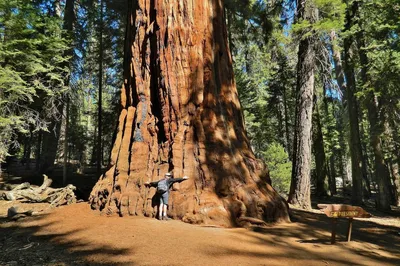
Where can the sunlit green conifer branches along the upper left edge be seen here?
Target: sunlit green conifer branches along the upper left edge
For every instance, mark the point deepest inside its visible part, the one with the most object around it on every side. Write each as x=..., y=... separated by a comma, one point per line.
x=31, y=70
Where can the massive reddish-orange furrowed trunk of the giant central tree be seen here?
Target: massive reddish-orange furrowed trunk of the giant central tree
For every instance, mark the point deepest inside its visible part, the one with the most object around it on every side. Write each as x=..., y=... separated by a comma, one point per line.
x=181, y=113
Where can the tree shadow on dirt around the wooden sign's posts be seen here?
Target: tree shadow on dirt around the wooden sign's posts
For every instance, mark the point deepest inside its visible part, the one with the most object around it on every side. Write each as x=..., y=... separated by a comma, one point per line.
x=308, y=238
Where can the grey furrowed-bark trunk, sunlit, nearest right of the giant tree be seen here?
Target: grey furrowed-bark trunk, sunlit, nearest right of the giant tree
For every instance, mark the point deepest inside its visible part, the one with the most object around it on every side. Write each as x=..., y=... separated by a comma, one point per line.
x=300, y=192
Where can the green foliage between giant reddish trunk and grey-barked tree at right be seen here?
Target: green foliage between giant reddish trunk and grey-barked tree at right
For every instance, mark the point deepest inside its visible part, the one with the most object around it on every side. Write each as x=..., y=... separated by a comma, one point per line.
x=264, y=72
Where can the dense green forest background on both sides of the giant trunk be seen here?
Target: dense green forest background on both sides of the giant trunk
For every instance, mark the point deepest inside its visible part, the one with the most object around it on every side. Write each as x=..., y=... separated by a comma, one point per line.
x=318, y=82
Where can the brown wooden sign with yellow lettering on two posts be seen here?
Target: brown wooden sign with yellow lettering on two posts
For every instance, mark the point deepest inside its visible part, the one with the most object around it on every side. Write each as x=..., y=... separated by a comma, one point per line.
x=336, y=211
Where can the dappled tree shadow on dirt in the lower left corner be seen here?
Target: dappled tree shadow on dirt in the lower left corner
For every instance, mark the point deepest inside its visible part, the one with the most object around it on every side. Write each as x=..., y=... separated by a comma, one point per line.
x=26, y=243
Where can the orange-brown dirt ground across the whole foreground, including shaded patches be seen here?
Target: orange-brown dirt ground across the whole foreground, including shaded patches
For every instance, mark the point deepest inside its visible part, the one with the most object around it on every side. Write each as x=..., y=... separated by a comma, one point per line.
x=76, y=235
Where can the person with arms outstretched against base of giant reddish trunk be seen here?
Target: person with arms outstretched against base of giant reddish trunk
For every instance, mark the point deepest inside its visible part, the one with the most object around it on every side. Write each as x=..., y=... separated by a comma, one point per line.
x=163, y=186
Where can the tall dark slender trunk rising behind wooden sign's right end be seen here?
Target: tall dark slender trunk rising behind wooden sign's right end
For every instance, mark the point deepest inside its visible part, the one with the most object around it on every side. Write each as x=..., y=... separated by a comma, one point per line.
x=354, y=140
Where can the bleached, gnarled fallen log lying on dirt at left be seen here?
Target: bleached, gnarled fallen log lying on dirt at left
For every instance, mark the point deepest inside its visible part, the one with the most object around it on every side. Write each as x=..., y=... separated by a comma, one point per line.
x=43, y=194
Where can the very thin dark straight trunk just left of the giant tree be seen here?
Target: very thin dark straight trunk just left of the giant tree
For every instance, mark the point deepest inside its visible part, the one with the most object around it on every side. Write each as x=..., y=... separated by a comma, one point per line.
x=99, y=110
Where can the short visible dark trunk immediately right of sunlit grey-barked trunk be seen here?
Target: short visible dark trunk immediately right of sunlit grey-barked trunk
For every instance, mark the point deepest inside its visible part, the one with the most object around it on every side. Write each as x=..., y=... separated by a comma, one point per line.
x=322, y=184
